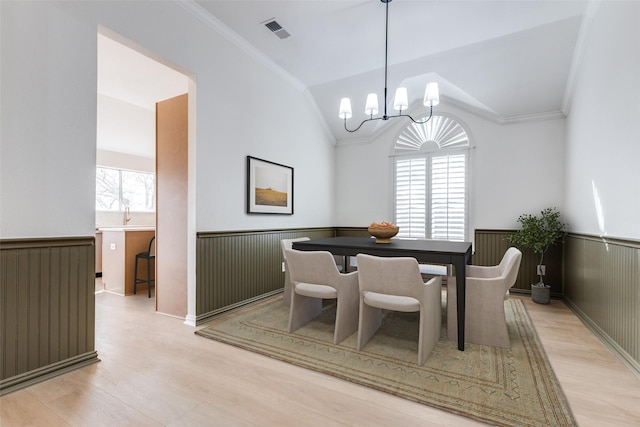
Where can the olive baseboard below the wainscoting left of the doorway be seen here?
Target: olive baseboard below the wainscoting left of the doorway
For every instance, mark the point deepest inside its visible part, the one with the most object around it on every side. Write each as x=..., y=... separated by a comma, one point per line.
x=35, y=376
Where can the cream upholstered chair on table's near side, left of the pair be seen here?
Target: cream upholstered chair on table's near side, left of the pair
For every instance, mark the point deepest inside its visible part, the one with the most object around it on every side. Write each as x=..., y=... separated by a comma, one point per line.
x=314, y=277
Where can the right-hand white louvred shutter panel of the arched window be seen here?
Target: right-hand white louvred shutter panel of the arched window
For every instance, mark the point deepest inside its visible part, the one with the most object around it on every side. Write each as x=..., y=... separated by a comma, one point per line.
x=448, y=197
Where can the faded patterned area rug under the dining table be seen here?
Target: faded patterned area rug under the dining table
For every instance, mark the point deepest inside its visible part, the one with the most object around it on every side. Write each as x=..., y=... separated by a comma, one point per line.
x=503, y=387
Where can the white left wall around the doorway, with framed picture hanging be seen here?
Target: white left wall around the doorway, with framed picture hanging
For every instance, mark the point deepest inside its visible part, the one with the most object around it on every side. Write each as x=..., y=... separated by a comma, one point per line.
x=49, y=118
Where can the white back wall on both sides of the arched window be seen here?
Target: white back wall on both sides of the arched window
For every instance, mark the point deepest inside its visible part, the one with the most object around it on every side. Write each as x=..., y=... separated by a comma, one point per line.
x=517, y=168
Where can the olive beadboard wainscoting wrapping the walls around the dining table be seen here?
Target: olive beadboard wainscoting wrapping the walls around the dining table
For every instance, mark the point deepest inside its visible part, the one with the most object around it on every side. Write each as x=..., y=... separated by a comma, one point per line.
x=599, y=279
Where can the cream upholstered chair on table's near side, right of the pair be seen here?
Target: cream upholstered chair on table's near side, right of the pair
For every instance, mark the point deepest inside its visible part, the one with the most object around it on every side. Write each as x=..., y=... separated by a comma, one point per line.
x=395, y=283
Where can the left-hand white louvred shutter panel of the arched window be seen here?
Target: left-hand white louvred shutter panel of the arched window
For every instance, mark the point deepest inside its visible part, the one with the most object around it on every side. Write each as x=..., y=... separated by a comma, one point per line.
x=411, y=196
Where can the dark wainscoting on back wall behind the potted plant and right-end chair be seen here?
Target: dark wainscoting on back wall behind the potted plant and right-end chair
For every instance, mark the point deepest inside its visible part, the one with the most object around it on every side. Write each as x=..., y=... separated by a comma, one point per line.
x=490, y=246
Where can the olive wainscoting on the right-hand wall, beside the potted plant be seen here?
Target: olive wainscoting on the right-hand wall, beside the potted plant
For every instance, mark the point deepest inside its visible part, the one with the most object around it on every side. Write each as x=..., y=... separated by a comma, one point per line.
x=602, y=286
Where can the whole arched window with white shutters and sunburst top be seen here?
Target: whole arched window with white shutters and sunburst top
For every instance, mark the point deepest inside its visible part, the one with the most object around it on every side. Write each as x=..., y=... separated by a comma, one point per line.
x=431, y=171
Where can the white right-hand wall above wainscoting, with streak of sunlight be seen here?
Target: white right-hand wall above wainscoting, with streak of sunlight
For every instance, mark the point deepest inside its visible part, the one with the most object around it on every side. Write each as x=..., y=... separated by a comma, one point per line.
x=603, y=136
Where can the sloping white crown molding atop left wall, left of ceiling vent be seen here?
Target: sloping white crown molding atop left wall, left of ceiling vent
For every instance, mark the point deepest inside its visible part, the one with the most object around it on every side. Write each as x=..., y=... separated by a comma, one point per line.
x=215, y=24
